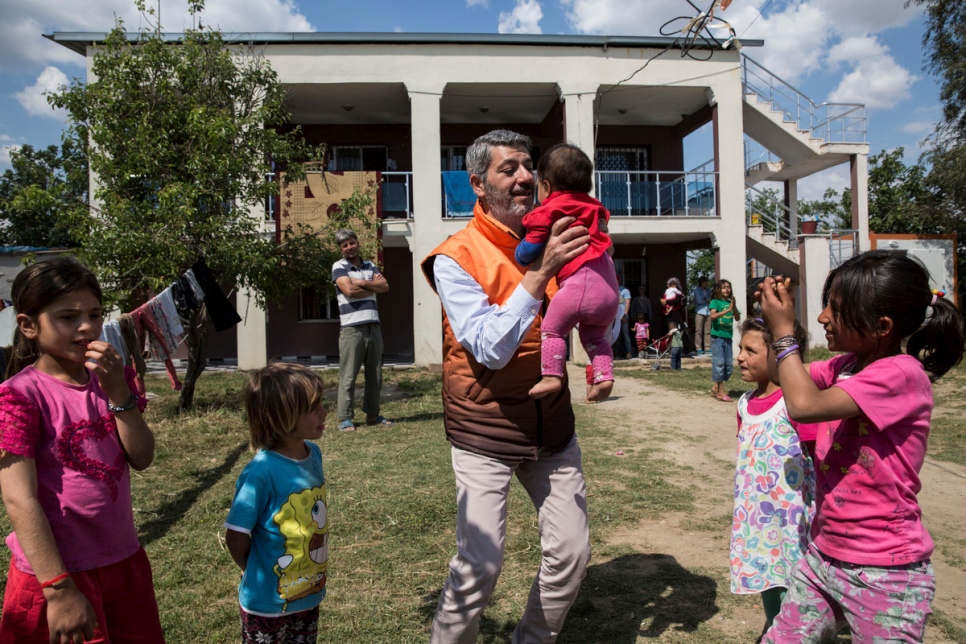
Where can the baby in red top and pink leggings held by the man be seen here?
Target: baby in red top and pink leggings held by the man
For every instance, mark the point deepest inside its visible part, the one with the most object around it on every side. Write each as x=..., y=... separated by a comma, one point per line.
x=588, y=284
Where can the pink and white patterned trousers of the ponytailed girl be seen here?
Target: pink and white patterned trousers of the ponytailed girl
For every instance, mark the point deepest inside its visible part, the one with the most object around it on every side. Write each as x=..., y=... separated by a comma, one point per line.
x=881, y=604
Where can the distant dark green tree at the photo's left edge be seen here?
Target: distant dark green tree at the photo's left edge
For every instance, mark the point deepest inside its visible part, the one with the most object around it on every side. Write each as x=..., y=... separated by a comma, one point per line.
x=38, y=193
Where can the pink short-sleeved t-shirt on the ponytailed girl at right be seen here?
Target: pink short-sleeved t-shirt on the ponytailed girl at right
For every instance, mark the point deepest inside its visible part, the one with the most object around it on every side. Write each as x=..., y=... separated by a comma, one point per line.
x=867, y=469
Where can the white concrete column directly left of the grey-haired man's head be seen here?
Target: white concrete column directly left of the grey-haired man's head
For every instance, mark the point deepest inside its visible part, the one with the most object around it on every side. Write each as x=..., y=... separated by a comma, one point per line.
x=424, y=99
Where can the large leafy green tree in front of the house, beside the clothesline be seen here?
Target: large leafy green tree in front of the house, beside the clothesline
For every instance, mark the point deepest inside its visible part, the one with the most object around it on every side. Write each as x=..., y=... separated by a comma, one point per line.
x=181, y=137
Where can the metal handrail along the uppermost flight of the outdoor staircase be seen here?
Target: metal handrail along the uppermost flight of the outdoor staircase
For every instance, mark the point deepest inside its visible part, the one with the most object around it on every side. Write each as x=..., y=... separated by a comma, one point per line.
x=830, y=122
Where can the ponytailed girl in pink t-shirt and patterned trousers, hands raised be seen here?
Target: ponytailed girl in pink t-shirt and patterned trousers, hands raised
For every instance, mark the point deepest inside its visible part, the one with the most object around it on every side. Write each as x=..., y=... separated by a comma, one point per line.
x=869, y=558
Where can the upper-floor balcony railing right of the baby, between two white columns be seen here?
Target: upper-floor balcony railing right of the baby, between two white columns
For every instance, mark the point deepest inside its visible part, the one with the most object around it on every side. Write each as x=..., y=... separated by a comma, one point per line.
x=660, y=194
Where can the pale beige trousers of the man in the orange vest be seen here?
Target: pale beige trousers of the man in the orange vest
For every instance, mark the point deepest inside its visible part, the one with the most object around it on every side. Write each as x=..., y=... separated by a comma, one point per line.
x=556, y=486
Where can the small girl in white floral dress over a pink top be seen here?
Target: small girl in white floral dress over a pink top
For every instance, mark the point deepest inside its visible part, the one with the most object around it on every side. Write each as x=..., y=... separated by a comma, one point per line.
x=774, y=480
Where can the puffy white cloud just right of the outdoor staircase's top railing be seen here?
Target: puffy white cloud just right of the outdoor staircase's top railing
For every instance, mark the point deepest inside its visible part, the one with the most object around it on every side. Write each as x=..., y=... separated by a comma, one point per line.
x=876, y=78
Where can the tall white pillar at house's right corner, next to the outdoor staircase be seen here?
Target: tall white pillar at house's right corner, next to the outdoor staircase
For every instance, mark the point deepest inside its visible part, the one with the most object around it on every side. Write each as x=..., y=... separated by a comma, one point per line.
x=731, y=233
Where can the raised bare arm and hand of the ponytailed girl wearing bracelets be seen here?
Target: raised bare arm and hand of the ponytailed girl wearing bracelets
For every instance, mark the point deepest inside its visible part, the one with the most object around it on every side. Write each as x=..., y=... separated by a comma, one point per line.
x=805, y=402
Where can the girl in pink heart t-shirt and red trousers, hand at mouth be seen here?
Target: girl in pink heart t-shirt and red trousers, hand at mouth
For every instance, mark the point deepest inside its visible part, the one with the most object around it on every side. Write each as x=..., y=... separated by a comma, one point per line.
x=72, y=429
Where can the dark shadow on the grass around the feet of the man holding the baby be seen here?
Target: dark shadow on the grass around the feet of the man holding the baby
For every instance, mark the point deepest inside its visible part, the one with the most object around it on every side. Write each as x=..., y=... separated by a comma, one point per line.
x=620, y=601
